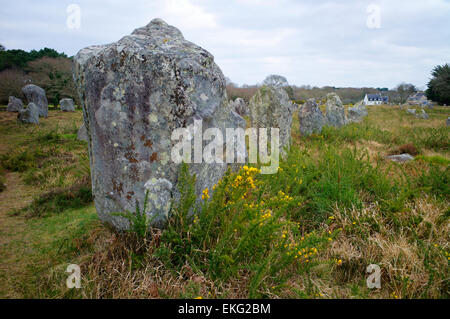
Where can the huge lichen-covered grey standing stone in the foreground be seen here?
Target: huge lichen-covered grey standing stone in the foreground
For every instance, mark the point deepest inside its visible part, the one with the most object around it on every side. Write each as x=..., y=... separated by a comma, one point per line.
x=135, y=93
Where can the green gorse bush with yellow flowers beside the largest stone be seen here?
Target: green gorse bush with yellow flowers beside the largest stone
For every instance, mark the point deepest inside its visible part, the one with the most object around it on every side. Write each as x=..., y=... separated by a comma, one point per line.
x=237, y=230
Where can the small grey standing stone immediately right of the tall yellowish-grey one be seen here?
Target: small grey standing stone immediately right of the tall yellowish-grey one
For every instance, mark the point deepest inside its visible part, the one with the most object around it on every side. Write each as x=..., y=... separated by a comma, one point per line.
x=311, y=118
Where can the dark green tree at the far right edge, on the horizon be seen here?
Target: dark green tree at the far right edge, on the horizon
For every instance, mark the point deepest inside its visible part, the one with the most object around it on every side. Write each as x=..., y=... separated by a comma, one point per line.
x=439, y=86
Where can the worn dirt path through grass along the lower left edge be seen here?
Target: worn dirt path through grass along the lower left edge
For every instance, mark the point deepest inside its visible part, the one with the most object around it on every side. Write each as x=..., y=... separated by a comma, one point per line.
x=14, y=244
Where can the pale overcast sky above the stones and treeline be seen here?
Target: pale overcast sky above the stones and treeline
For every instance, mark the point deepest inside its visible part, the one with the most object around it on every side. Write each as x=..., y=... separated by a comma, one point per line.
x=338, y=43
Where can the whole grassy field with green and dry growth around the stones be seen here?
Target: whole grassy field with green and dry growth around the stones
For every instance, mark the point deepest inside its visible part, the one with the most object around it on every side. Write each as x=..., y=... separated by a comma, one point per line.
x=310, y=231
